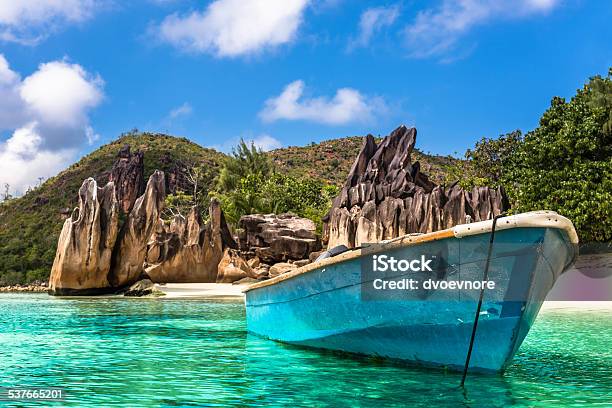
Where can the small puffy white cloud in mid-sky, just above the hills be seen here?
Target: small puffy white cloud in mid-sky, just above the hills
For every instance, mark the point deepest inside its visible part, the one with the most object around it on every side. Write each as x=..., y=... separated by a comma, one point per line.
x=347, y=105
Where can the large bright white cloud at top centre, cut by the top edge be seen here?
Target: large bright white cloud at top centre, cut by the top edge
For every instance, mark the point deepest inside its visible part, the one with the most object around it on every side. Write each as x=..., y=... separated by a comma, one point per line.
x=230, y=28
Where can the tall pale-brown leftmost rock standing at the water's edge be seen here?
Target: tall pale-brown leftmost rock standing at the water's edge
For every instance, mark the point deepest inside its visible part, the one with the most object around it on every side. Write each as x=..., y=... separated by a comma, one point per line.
x=83, y=257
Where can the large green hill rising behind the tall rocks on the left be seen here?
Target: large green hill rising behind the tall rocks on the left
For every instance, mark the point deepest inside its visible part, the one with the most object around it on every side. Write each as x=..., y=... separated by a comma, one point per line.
x=30, y=225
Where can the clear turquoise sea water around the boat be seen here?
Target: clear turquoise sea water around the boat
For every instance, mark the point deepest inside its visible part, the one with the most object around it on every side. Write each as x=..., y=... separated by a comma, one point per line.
x=161, y=352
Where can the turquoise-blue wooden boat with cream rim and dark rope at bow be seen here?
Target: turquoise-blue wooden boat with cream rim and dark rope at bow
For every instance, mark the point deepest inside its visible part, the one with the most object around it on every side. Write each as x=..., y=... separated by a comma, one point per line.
x=332, y=303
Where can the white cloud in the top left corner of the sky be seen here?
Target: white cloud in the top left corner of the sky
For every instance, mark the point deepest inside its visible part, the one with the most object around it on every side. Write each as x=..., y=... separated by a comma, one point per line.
x=29, y=21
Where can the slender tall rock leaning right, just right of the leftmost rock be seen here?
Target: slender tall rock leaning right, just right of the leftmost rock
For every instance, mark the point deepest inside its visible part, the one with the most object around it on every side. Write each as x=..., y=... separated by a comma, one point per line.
x=131, y=249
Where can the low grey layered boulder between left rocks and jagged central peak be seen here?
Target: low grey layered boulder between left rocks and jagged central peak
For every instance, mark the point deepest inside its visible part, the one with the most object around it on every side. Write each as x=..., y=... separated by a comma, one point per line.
x=276, y=238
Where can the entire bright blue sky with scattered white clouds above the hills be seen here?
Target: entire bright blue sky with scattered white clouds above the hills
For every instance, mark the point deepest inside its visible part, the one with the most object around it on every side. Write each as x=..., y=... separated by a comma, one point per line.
x=75, y=74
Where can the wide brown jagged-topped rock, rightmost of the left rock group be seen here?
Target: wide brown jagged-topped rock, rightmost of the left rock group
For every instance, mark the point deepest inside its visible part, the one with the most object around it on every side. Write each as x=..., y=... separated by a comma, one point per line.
x=189, y=250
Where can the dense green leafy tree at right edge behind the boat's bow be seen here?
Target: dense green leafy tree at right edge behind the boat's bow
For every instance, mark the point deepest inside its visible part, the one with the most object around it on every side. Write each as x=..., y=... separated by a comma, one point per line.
x=565, y=164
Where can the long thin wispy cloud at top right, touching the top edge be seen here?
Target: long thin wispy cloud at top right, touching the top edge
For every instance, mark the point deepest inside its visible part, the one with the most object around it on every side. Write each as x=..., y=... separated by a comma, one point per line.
x=436, y=32
